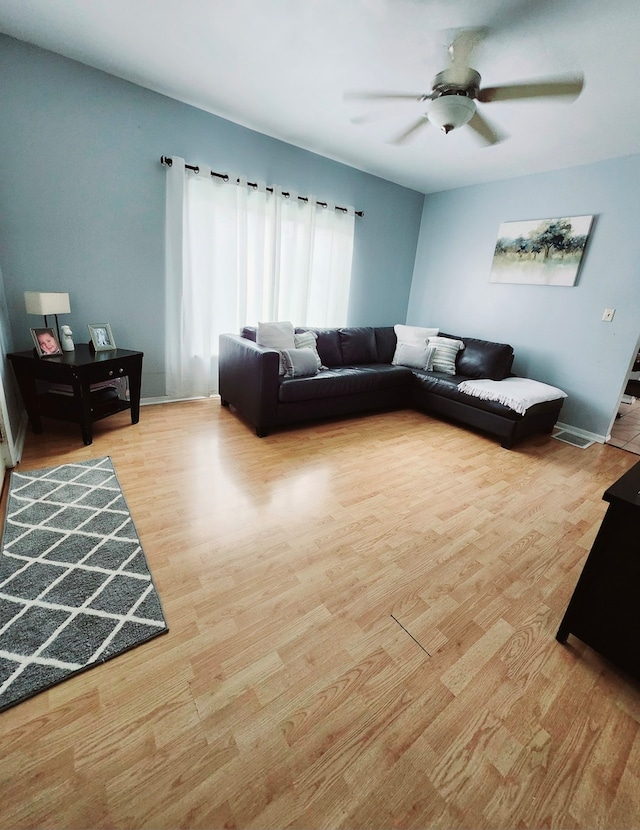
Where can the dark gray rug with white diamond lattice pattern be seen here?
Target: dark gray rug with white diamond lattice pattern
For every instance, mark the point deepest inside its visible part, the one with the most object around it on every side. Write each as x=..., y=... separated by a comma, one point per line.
x=75, y=586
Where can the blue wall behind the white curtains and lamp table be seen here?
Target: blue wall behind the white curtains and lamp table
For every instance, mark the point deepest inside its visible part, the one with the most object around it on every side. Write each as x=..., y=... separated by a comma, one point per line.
x=82, y=200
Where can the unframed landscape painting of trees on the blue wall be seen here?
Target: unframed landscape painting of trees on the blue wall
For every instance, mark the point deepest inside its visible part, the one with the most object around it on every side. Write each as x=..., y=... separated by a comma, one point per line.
x=541, y=251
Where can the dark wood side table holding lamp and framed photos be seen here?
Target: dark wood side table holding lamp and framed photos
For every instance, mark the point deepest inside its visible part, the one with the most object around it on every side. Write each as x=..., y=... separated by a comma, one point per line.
x=78, y=369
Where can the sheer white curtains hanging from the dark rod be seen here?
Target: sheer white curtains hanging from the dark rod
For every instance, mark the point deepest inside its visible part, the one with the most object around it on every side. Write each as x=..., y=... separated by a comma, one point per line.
x=237, y=255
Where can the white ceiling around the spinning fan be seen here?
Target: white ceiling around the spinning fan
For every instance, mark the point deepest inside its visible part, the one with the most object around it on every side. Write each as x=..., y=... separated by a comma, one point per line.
x=282, y=67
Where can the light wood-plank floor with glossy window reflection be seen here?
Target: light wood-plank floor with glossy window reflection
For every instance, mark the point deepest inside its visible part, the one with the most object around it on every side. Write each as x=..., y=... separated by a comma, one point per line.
x=362, y=619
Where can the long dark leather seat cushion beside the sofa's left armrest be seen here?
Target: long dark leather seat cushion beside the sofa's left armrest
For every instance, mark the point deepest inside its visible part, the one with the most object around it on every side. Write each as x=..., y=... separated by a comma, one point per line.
x=345, y=381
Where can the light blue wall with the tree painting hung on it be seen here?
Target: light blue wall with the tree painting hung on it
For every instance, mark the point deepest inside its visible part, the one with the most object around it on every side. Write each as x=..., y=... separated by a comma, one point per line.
x=557, y=333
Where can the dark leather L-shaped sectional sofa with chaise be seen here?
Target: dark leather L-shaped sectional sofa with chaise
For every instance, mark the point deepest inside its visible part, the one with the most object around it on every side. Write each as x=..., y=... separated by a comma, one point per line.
x=359, y=377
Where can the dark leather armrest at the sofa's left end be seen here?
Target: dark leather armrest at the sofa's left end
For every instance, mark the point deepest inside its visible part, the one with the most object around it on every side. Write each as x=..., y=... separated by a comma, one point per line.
x=249, y=381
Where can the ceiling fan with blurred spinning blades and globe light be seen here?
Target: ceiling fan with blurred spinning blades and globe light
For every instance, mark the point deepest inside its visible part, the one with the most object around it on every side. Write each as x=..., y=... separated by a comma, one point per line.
x=456, y=91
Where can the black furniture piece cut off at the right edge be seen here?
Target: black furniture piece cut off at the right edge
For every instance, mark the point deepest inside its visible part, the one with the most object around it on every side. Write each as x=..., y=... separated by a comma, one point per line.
x=604, y=611
